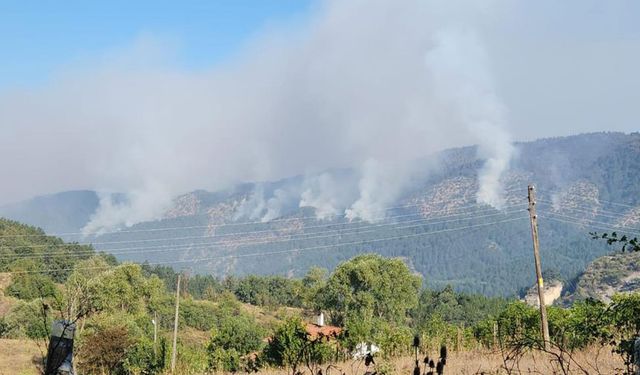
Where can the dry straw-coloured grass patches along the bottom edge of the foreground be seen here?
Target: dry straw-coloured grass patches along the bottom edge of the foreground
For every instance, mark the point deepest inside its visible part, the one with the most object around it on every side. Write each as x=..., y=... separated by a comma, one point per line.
x=17, y=357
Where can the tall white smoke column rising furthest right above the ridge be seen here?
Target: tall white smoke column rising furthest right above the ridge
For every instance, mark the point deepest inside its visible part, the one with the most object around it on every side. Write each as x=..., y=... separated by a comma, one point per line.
x=459, y=65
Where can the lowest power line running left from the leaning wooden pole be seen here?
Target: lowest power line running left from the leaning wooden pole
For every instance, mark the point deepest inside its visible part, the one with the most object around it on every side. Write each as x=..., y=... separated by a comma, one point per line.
x=286, y=251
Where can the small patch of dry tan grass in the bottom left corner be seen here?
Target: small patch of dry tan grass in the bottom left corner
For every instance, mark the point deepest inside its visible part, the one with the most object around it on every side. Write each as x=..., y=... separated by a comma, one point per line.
x=17, y=357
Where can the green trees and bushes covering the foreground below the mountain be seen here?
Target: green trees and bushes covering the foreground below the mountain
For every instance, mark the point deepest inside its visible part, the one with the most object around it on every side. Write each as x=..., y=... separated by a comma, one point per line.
x=240, y=324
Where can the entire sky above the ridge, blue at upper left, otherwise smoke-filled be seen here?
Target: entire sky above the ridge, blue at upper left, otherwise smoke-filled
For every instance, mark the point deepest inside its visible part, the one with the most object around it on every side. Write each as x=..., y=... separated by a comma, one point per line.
x=164, y=97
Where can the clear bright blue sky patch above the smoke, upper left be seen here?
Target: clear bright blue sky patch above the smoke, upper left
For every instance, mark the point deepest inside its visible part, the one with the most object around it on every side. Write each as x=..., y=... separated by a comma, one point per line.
x=38, y=38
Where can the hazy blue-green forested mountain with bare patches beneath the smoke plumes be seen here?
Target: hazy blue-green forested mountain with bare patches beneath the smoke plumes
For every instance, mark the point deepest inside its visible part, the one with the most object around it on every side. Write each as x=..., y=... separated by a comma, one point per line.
x=584, y=183
